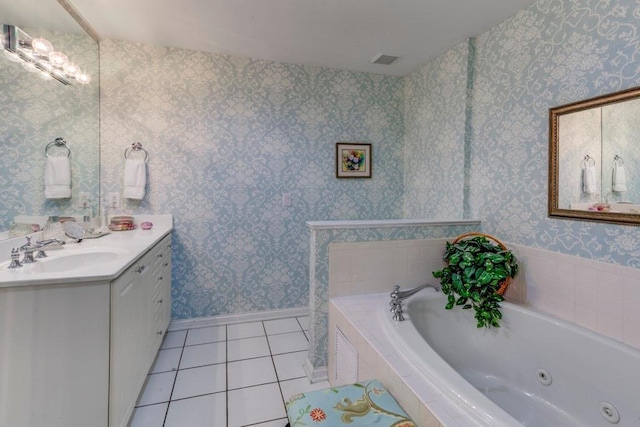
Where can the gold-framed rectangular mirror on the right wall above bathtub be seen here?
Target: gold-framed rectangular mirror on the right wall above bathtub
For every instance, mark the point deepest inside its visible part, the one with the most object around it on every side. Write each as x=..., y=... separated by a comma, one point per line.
x=594, y=159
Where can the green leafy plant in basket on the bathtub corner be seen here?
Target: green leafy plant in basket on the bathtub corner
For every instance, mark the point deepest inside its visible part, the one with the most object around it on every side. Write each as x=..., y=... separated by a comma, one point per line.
x=475, y=271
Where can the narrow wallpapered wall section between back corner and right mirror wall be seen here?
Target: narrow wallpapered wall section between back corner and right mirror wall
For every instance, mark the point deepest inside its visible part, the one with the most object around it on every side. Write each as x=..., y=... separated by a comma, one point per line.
x=434, y=144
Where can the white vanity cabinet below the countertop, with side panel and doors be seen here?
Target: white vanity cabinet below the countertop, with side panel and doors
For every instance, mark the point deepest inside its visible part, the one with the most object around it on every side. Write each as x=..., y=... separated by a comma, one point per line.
x=77, y=354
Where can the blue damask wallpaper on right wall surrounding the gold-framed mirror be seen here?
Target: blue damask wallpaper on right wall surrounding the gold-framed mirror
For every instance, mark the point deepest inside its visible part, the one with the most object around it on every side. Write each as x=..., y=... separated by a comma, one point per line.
x=549, y=54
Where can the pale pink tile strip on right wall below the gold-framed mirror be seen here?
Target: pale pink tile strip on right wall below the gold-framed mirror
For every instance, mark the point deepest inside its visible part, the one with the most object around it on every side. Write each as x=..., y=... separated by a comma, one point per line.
x=596, y=295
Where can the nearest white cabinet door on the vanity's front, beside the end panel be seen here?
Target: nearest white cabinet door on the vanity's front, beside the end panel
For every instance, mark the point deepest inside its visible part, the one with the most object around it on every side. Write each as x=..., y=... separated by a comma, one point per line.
x=129, y=340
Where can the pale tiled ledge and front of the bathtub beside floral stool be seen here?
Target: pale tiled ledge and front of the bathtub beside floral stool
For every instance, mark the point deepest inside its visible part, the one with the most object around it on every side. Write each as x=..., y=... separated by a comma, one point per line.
x=356, y=317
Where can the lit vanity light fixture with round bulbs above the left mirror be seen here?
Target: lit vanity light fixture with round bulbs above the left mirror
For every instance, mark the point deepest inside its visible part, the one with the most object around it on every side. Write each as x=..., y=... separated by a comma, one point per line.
x=38, y=55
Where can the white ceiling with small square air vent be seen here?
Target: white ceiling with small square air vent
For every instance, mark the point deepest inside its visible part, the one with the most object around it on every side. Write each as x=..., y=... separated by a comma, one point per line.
x=342, y=34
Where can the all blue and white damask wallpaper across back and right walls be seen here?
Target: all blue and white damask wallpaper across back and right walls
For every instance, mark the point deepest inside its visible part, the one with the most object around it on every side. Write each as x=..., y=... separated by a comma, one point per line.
x=465, y=136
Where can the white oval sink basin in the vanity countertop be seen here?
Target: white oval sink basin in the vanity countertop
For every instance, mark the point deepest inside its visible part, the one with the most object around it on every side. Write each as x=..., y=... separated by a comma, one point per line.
x=72, y=260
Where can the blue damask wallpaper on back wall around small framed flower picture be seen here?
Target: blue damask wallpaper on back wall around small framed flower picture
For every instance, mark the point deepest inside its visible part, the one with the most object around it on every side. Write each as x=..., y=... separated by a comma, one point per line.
x=227, y=136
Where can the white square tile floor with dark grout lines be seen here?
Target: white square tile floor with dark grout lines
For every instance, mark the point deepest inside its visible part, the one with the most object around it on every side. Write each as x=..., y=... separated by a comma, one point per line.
x=226, y=376
